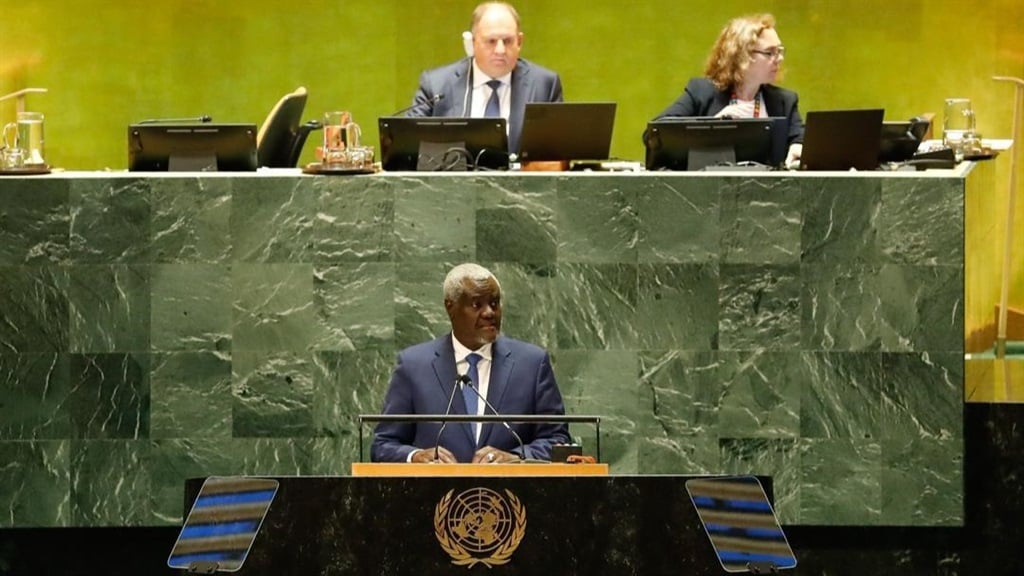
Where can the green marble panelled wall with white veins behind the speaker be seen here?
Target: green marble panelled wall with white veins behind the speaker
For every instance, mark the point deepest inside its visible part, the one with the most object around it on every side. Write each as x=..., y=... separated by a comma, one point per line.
x=810, y=328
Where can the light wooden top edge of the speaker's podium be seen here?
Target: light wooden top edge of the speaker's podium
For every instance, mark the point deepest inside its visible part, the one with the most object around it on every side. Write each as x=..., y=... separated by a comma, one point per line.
x=413, y=470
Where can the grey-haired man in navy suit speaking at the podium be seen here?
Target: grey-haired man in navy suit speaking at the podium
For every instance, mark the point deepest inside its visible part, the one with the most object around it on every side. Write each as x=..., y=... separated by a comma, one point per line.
x=515, y=377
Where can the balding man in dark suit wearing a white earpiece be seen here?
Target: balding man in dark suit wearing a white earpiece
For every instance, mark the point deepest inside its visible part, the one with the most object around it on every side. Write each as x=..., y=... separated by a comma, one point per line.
x=495, y=83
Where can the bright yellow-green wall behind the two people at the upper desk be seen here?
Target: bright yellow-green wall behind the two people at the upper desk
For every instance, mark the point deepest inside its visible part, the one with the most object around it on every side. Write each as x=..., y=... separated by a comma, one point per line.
x=109, y=63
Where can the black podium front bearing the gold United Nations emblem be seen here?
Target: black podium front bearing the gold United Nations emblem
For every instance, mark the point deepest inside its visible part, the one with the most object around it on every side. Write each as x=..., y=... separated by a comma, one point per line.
x=515, y=525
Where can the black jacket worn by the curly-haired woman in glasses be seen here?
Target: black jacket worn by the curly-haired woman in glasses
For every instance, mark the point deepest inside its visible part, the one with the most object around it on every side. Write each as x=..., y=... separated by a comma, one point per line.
x=703, y=99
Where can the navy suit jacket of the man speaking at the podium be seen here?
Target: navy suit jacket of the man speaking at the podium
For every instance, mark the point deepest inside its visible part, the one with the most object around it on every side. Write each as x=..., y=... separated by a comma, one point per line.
x=522, y=383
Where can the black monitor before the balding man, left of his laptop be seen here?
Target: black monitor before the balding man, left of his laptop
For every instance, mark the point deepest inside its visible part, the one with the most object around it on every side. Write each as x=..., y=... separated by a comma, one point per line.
x=444, y=144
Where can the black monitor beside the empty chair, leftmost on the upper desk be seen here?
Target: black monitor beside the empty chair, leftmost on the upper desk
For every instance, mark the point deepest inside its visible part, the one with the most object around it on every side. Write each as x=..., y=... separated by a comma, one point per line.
x=201, y=148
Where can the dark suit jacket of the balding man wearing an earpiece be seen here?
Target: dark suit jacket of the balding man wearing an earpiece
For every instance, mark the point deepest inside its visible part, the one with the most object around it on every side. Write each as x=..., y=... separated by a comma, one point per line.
x=531, y=84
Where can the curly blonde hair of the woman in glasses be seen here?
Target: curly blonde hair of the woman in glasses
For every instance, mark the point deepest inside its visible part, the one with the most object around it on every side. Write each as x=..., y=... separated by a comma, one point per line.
x=731, y=57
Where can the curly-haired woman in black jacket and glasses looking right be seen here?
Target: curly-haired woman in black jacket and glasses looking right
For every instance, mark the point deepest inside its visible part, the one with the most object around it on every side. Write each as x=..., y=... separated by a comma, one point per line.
x=746, y=60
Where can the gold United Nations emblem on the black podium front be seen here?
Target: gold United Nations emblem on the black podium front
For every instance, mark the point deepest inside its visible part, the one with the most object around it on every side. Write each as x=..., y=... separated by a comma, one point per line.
x=480, y=526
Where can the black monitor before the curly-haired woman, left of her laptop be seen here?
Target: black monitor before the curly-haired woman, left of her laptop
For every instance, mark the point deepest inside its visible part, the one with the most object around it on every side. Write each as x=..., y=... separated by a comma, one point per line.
x=694, y=144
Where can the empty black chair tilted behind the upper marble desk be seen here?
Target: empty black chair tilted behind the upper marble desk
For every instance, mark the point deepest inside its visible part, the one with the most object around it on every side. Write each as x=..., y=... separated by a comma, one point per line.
x=281, y=138
